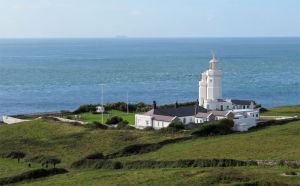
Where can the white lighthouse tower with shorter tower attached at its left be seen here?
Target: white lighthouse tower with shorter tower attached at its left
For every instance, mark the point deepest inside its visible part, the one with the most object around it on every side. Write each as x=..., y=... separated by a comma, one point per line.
x=210, y=86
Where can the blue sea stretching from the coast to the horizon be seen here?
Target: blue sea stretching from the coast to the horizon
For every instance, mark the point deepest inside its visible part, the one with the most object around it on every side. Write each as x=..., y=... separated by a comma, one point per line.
x=45, y=75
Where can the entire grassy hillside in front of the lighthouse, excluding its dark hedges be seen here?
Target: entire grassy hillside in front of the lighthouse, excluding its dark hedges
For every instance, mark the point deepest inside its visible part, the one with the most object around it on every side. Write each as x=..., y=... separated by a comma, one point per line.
x=71, y=143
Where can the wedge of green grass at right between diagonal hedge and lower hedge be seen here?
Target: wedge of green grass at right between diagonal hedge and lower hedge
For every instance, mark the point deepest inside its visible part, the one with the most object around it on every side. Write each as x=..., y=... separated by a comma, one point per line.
x=274, y=142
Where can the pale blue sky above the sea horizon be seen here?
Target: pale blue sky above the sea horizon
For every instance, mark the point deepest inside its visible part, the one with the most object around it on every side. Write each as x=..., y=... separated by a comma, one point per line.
x=149, y=18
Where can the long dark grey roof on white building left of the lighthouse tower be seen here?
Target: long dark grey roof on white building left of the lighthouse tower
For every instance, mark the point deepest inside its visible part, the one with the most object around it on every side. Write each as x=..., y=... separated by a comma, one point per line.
x=179, y=112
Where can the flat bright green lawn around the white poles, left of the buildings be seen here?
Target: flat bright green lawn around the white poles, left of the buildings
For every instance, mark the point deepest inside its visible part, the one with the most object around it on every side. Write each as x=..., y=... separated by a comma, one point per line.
x=90, y=117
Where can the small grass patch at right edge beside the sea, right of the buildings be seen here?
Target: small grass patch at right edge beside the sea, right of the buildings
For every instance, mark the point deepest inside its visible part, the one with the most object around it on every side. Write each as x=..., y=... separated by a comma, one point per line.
x=283, y=111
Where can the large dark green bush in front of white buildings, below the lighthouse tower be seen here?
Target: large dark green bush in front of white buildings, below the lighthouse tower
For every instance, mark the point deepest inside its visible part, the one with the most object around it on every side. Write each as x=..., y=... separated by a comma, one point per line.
x=220, y=127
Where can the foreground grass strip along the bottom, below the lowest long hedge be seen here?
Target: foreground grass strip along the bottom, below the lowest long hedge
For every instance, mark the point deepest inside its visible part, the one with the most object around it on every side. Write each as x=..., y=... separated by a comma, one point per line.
x=183, y=176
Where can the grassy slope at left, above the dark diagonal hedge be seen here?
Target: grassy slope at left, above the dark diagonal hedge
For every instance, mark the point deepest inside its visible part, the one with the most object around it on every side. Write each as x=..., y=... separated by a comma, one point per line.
x=68, y=142
